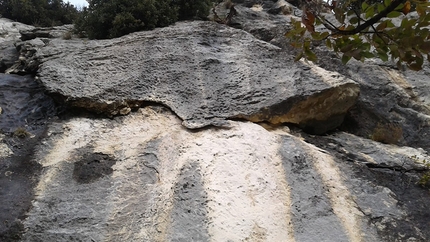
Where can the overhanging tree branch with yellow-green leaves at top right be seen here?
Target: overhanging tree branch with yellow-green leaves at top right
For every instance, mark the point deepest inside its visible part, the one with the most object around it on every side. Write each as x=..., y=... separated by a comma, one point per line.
x=382, y=29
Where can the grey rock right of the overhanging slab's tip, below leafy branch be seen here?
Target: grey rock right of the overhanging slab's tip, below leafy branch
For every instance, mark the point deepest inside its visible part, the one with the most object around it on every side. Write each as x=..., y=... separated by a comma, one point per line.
x=390, y=102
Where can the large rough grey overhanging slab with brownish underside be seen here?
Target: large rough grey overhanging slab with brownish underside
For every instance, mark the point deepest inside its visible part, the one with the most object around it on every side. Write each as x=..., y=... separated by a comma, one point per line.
x=205, y=72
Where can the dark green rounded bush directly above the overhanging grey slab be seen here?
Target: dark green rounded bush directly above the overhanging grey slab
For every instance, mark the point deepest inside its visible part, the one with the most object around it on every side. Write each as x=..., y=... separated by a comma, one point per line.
x=114, y=18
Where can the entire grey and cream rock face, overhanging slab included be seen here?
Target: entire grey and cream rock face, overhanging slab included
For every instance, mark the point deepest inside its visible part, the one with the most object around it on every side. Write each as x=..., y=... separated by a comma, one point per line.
x=147, y=174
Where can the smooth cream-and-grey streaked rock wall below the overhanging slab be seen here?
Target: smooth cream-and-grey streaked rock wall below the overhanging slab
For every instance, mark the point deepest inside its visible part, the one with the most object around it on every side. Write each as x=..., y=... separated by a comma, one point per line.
x=149, y=179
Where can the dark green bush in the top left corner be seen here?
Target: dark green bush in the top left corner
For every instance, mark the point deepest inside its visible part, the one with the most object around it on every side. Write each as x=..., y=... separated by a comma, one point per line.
x=38, y=12
